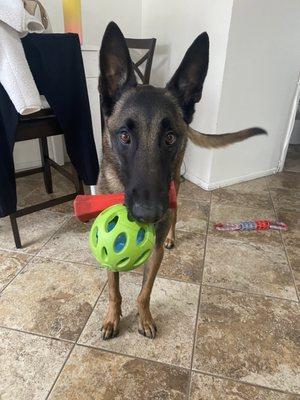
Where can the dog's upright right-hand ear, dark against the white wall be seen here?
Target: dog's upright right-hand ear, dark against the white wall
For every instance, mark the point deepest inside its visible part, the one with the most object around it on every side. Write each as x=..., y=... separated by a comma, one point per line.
x=187, y=82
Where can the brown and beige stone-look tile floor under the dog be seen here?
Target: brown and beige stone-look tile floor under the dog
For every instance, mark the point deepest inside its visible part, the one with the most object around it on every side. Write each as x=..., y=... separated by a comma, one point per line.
x=226, y=304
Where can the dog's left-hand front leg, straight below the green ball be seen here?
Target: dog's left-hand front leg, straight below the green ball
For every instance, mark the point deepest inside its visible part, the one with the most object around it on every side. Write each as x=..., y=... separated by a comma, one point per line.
x=110, y=327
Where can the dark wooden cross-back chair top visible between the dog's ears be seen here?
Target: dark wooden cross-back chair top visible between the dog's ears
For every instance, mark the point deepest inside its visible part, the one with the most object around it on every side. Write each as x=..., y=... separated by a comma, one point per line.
x=143, y=44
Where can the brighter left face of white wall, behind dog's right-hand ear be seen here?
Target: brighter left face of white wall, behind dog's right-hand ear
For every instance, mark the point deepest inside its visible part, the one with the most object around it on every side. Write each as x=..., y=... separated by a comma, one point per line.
x=176, y=24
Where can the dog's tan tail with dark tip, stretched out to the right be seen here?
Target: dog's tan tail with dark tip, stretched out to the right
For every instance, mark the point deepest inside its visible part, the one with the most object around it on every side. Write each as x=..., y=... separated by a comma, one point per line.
x=214, y=141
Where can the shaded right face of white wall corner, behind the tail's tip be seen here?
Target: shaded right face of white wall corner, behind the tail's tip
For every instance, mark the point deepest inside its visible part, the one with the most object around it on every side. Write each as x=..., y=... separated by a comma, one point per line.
x=260, y=78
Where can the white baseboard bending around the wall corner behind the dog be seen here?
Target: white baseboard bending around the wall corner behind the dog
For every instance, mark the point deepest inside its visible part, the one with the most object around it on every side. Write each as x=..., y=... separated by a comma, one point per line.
x=227, y=182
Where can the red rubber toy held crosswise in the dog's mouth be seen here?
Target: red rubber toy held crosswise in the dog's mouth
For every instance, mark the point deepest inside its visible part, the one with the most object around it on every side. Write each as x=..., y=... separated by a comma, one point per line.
x=87, y=207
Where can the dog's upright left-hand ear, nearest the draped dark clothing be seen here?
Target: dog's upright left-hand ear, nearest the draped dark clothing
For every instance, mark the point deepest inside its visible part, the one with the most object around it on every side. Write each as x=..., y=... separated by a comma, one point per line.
x=116, y=71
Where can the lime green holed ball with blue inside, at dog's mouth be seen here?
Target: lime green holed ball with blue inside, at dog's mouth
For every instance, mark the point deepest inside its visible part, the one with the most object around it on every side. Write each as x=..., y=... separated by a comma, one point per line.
x=118, y=242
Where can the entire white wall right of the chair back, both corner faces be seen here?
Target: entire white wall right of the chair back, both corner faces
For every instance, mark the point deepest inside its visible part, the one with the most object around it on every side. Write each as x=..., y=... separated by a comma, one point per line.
x=251, y=81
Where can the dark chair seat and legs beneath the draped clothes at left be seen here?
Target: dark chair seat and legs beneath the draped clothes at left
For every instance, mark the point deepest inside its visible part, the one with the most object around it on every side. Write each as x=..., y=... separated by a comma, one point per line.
x=42, y=125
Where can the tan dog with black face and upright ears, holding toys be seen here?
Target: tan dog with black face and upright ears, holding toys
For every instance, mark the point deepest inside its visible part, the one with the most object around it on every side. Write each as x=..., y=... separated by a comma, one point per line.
x=144, y=140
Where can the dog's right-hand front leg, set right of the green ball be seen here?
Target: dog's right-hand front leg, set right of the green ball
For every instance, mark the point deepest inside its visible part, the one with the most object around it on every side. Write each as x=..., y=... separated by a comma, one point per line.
x=147, y=325
